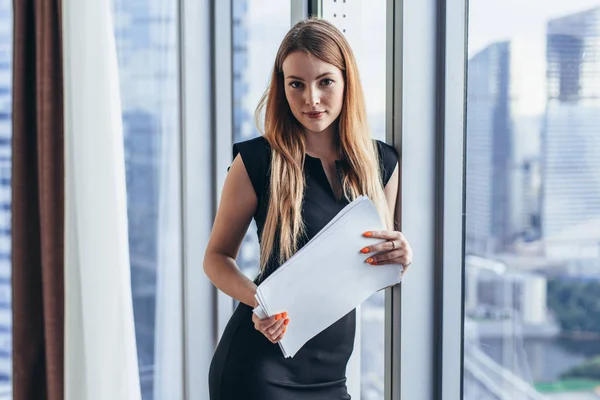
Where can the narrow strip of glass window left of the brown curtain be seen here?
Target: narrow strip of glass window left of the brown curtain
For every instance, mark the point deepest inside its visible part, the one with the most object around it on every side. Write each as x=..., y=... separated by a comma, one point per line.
x=5, y=198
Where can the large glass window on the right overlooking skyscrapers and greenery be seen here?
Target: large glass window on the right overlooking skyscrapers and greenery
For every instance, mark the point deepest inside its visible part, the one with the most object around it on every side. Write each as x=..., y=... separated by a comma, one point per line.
x=532, y=267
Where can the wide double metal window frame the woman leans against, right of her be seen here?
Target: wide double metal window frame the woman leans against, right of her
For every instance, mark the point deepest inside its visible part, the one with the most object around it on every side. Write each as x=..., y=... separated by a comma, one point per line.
x=426, y=109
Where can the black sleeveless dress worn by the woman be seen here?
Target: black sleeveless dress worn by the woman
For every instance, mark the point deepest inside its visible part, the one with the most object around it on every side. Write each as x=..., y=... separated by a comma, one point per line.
x=246, y=365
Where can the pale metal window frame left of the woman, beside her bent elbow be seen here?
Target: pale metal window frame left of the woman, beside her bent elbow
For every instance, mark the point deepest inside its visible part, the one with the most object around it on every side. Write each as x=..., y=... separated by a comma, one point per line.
x=198, y=171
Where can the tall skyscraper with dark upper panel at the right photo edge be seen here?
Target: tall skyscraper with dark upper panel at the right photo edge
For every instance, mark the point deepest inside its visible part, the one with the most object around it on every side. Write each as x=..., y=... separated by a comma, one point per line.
x=571, y=137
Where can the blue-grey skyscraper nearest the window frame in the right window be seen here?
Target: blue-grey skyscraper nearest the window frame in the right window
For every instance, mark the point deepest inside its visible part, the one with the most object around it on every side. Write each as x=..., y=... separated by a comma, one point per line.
x=489, y=149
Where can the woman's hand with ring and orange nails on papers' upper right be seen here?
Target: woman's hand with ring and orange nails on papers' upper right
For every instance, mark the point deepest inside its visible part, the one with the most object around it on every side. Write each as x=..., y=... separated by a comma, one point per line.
x=393, y=250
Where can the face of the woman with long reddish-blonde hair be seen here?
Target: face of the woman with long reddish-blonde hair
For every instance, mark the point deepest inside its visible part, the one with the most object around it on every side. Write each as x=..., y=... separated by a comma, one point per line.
x=314, y=90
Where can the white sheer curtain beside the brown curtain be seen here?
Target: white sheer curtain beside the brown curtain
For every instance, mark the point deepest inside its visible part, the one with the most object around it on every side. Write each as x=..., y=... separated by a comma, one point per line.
x=100, y=350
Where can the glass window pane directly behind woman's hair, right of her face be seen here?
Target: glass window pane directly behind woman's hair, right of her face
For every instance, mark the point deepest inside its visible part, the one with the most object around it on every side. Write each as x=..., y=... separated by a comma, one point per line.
x=364, y=25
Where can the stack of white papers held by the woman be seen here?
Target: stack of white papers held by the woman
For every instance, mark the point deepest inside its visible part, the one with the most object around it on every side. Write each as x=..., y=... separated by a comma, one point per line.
x=327, y=278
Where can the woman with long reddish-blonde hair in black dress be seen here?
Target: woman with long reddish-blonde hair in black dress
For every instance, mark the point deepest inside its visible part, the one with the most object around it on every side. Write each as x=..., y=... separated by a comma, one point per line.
x=315, y=156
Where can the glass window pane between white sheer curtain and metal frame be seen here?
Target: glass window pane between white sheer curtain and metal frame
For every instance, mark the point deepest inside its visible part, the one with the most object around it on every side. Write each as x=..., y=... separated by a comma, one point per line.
x=147, y=50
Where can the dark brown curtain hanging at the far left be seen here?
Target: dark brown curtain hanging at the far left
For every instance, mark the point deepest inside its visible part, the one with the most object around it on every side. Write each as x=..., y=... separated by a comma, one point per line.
x=37, y=202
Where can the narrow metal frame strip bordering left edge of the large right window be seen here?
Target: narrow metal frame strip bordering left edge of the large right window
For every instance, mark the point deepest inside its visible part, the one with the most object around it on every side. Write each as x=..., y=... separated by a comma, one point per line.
x=451, y=169
